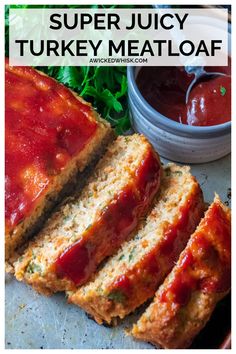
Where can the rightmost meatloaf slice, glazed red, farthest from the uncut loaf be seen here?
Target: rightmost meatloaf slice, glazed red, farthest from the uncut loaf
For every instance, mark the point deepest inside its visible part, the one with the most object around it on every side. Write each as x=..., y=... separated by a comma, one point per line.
x=186, y=300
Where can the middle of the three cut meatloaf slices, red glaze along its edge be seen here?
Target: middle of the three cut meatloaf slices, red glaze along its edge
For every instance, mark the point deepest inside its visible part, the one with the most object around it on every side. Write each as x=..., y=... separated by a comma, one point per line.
x=132, y=276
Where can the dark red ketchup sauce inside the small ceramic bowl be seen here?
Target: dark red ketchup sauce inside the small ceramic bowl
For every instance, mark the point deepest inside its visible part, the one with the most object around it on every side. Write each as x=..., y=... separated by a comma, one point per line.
x=209, y=103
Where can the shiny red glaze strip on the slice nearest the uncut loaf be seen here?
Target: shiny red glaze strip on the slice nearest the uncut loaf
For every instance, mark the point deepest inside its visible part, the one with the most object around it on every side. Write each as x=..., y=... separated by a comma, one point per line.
x=114, y=226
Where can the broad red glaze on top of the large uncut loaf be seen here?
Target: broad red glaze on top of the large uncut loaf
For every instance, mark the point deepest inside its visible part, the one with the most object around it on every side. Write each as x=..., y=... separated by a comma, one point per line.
x=45, y=127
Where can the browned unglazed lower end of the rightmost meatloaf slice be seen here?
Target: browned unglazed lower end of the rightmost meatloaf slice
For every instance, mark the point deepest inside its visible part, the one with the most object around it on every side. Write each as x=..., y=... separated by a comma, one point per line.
x=167, y=332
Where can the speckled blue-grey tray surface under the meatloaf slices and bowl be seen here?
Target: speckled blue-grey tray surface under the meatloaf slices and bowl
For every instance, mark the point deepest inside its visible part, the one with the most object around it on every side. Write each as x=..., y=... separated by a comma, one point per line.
x=33, y=321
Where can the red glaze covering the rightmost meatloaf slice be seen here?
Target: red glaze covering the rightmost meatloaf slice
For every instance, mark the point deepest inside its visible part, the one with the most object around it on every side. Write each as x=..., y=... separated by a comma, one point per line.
x=205, y=263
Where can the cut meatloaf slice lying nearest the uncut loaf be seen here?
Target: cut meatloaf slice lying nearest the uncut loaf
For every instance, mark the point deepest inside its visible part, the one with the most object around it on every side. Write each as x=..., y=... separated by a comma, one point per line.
x=91, y=227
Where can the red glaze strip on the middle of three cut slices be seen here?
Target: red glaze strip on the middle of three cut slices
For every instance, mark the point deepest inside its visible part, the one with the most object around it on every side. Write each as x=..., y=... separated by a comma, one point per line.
x=147, y=274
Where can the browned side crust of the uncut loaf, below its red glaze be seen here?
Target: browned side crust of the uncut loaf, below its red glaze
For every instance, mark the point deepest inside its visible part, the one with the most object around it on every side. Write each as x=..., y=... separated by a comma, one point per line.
x=61, y=186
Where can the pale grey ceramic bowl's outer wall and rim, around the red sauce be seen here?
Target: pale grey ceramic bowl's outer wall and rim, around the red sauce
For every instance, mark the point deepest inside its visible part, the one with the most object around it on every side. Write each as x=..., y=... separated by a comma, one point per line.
x=172, y=140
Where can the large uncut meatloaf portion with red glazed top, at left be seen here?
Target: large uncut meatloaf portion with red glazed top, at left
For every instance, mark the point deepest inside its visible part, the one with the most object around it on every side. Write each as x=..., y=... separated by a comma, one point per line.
x=50, y=135
